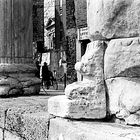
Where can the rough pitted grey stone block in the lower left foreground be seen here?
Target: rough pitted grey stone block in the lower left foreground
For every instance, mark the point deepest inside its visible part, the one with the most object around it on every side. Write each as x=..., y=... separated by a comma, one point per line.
x=26, y=117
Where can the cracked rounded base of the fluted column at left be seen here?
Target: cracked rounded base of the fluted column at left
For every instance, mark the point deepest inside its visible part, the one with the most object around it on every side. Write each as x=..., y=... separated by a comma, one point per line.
x=18, y=79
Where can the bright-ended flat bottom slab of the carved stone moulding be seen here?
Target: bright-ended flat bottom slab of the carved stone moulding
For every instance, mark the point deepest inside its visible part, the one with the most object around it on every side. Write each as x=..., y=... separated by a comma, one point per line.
x=64, y=107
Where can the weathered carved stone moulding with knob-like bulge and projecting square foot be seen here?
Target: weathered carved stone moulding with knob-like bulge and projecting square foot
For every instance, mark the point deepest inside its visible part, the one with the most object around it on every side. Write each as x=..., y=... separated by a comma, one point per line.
x=84, y=99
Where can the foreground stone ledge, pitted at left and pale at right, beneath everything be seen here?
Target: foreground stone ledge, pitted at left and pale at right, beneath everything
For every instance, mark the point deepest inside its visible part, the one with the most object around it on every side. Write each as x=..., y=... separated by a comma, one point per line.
x=27, y=118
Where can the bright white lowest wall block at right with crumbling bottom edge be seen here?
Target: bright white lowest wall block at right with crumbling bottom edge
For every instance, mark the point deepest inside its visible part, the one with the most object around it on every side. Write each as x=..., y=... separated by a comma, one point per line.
x=124, y=98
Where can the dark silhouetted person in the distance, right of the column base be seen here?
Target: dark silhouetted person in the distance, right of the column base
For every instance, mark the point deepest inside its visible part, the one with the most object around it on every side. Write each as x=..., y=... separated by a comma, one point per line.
x=47, y=75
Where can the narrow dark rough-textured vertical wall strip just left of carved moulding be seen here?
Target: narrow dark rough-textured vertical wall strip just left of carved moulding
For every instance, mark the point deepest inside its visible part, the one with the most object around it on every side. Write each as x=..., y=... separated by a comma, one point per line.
x=71, y=36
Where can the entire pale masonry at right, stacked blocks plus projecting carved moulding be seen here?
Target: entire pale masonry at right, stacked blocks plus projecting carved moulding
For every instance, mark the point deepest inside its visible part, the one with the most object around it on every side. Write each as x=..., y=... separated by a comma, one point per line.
x=110, y=66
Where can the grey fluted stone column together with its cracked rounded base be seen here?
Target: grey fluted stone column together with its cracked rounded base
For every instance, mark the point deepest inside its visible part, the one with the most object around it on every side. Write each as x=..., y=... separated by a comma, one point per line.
x=16, y=61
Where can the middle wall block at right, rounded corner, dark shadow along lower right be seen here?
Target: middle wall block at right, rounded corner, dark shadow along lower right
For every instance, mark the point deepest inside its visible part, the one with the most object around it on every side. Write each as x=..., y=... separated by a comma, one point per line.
x=122, y=58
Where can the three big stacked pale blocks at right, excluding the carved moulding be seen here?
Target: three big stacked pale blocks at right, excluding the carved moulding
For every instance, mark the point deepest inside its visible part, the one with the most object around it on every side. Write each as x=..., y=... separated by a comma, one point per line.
x=118, y=22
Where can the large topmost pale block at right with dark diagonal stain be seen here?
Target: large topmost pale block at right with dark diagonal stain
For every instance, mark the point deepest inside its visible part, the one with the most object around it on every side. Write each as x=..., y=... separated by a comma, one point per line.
x=108, y=19
